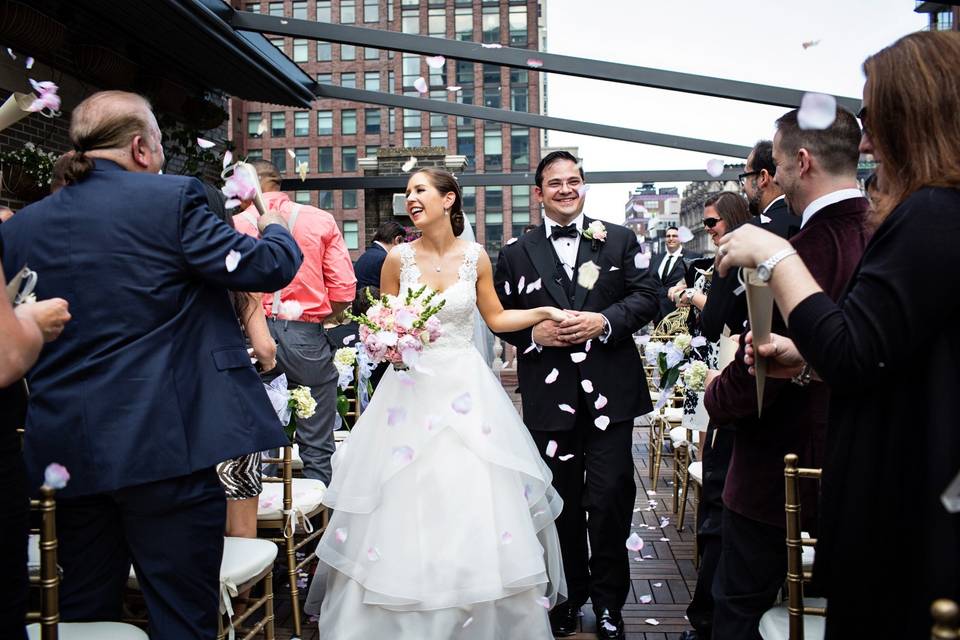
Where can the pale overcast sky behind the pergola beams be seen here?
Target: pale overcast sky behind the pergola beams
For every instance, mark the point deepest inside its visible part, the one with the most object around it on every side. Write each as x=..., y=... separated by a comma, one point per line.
x=752, y=41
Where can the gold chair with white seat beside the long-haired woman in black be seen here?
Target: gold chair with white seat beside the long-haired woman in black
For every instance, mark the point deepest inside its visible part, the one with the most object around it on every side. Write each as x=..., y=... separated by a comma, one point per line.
x=799, y=618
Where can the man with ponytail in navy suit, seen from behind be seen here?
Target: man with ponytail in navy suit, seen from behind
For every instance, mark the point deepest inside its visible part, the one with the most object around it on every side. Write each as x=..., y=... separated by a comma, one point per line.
x=150, y=385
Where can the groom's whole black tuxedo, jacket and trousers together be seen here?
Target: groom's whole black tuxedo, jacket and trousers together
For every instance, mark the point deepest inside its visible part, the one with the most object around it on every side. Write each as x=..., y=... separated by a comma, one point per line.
x=596, y=484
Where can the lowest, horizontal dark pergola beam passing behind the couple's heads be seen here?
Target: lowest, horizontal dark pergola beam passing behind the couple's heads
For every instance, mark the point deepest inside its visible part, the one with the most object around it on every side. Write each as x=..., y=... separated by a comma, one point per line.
x=399, y=182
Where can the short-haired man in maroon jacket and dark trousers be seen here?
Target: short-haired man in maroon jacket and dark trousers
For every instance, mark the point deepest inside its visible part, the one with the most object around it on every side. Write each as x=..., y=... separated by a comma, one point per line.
x=817, y=170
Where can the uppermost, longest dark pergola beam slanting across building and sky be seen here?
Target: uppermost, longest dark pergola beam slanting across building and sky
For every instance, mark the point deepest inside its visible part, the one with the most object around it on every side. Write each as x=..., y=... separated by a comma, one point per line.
x=518, y=58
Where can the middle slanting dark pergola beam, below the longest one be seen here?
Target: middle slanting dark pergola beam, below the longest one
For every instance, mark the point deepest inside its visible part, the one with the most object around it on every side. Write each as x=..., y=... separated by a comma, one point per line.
x=533, y=120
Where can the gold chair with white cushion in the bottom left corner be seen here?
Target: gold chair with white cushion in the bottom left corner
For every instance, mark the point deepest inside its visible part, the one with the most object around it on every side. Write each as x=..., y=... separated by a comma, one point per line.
x=45, y=624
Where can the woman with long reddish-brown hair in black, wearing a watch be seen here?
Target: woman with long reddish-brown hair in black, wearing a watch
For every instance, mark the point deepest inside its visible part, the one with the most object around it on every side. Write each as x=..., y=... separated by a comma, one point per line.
x=887, y=546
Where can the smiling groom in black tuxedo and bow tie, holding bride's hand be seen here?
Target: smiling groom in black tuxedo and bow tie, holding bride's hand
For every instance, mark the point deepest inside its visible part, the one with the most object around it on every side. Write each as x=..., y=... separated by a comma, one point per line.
x=587, y=408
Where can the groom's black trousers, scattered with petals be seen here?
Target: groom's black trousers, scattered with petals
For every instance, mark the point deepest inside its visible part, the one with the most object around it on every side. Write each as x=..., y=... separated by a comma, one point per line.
x=598, y=492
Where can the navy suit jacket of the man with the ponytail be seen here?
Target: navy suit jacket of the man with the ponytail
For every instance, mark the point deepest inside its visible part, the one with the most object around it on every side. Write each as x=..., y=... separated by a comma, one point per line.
x=151, y=378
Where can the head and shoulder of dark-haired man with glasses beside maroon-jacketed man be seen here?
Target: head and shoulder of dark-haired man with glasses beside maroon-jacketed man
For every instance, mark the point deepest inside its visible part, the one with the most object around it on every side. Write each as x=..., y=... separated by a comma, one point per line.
x=764, y=196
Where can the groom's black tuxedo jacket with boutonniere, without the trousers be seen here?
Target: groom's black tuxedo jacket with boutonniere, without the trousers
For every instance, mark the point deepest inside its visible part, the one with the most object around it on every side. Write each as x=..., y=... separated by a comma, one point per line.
x=624, y=294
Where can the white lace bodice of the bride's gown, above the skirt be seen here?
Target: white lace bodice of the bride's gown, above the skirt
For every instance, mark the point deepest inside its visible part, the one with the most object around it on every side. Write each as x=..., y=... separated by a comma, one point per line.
x=461, y=297
